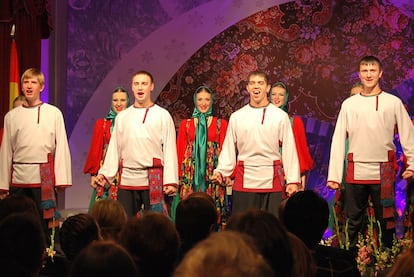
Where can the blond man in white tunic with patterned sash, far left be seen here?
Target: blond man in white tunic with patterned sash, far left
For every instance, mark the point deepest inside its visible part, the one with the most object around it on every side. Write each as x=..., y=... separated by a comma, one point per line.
x=34, y=155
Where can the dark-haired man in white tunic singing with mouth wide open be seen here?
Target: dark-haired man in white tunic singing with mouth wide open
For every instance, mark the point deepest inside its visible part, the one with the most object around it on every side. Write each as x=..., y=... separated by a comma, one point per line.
x=252, y=154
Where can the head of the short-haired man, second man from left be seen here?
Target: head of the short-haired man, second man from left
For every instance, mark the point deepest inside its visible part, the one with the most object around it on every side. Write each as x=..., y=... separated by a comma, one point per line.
x=142, y=88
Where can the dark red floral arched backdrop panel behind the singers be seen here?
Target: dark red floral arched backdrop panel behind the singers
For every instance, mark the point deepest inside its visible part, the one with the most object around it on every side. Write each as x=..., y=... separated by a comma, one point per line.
x=312, y=46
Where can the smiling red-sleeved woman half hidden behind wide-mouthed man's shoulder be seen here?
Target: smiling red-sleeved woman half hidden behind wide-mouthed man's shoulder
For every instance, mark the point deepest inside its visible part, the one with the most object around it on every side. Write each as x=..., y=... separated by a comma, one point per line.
x=279, y=96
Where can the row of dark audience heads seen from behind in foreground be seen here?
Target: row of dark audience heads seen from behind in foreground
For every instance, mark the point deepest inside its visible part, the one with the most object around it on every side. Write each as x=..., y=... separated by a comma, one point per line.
x=107, y=243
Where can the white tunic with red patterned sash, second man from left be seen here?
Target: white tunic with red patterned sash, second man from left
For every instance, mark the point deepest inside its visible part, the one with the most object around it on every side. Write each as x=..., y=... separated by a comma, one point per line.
x=142, y=145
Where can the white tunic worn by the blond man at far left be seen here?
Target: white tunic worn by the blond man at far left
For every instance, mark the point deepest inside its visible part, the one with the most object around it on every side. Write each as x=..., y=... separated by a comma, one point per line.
x=30, y=135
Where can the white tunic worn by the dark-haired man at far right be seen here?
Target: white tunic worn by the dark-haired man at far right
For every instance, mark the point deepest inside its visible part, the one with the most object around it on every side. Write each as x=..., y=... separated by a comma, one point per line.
x=369, y=122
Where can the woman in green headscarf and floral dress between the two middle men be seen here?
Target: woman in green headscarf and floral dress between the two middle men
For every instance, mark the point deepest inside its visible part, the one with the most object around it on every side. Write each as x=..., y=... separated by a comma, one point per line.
x=199, y=144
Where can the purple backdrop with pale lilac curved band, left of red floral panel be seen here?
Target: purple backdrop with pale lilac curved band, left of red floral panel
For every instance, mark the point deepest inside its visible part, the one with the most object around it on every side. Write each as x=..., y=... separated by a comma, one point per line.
x=109, y=40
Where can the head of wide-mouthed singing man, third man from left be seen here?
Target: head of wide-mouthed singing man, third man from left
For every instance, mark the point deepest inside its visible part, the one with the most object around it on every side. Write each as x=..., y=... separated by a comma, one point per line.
x=258, y=89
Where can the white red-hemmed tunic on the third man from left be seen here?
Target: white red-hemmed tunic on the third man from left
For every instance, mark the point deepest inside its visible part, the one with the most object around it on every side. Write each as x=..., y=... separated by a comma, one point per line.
x=251, y=150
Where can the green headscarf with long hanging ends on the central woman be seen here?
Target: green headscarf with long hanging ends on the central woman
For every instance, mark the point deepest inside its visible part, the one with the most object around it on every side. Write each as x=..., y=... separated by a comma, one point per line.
x=200, y=142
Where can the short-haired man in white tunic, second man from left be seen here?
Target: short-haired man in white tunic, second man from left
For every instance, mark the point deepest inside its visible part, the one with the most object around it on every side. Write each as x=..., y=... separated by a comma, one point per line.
x=143, y=149
